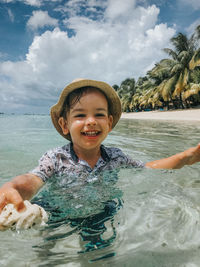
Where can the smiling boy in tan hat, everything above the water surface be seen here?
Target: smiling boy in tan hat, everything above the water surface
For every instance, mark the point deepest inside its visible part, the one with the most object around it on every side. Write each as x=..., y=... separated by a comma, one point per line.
x=86, y=112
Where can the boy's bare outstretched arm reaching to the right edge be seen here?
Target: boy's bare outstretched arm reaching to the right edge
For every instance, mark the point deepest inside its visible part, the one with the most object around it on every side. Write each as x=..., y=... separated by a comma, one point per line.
x=187, y=157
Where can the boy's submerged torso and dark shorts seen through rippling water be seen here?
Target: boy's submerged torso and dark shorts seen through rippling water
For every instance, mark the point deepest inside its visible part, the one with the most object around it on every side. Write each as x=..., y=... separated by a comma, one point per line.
x=83, y=207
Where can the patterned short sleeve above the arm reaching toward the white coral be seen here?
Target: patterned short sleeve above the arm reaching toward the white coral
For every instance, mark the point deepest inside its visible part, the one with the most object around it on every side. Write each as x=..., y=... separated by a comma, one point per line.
x=45, y=168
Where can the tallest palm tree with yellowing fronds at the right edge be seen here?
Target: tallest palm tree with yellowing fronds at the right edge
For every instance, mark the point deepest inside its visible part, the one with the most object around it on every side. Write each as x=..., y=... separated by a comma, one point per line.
x=173, y=76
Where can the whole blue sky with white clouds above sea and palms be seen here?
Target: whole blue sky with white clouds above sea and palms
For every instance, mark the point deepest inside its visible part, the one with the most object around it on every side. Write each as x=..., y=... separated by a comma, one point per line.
x=45, y=44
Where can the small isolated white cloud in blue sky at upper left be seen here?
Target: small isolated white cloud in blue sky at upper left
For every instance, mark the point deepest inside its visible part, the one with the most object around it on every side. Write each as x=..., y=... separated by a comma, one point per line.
x=40, y=19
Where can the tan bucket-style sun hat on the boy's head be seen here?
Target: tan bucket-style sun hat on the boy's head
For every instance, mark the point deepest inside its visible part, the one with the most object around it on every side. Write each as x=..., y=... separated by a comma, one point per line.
x=114, y=101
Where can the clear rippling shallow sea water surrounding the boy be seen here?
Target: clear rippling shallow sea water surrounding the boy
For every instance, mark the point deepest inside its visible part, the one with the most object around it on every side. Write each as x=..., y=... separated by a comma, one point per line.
x=133, y=218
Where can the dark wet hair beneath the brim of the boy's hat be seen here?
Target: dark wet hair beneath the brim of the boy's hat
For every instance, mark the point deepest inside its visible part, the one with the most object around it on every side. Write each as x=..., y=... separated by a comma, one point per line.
x=75, y=96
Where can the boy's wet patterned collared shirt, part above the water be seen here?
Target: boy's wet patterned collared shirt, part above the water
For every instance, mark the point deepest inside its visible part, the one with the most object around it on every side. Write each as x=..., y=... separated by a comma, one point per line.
x=63, y=161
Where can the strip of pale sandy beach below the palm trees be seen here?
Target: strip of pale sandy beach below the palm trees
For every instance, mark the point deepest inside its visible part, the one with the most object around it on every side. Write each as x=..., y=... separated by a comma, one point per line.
x=178, y=115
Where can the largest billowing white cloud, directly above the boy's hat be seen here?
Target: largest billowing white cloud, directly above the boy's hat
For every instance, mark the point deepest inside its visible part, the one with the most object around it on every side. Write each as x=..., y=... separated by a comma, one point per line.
x=109, y=49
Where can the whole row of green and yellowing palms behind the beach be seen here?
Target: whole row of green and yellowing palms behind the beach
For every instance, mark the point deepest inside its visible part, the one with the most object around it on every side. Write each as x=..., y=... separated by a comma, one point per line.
x=172, y=83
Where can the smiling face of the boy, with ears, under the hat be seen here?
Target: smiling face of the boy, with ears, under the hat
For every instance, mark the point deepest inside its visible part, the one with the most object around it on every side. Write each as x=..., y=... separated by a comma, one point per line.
x=88, y=121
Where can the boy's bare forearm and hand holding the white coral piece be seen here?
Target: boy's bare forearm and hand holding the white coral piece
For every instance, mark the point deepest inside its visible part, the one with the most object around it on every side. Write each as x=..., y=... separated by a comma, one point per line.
x=19, y=189
